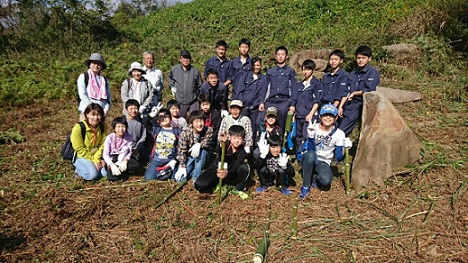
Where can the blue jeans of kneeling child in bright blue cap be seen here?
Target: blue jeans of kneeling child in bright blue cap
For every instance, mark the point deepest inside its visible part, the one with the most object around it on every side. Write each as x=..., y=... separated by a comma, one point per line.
x=324, y=174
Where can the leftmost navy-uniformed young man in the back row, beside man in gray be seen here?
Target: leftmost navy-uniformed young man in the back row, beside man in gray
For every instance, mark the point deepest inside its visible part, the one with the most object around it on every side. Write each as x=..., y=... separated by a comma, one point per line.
x=219, y=63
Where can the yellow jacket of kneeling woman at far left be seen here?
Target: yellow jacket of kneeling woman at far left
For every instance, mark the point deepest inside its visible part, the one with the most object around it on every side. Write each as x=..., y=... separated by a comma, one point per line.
x=92, y=146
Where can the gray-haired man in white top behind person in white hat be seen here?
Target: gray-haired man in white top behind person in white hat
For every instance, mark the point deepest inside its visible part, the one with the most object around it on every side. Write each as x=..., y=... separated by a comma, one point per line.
x=154, y=76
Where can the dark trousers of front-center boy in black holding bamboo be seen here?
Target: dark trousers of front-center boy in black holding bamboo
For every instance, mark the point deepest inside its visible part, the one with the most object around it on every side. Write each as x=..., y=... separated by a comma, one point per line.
x=208, y=179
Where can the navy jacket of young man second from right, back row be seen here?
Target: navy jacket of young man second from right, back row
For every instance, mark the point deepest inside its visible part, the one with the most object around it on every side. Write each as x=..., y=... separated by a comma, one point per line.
x=335, y=86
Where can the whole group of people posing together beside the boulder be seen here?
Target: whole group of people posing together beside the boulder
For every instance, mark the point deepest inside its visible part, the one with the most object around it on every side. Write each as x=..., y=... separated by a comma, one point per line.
x=185, y=139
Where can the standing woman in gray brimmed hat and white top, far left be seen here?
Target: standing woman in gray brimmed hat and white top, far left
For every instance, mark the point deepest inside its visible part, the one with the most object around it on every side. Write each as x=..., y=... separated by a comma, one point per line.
x=93, y=87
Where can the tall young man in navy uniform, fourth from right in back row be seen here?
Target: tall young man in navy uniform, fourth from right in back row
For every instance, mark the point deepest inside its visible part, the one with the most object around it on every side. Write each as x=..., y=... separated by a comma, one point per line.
x=279, y=88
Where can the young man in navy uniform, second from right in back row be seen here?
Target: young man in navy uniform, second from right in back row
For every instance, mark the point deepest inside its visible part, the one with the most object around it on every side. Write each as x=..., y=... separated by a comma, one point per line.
x=335, y=82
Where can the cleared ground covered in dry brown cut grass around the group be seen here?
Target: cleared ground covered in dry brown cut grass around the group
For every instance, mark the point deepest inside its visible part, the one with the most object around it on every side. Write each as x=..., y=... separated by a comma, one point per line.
x=47, y=216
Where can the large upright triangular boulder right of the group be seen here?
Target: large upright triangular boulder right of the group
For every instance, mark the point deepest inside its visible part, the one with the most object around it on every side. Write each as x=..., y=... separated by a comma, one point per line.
x=386, y=143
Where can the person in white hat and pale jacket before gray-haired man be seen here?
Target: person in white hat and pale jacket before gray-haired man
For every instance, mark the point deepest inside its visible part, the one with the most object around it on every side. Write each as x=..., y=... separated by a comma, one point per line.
x=137, y=88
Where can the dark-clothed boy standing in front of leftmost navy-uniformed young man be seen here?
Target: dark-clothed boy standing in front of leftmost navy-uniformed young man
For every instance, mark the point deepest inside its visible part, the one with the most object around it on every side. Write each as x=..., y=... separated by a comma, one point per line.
x=218, y=92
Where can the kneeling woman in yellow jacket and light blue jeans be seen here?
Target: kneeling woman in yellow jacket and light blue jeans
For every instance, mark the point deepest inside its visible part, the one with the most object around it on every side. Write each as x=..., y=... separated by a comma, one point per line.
x=89, y=164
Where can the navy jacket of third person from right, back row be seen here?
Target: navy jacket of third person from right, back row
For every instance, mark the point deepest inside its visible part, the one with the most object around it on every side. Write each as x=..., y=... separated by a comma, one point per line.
x=307, y=97
